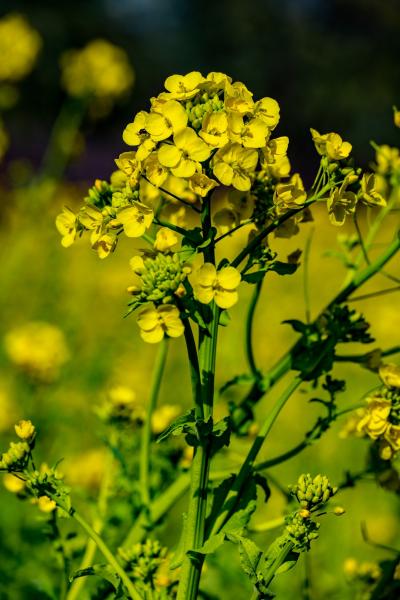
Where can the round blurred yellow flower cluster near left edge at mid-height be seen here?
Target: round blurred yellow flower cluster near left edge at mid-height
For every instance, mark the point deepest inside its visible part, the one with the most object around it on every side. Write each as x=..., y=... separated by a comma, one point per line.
x=37, y=348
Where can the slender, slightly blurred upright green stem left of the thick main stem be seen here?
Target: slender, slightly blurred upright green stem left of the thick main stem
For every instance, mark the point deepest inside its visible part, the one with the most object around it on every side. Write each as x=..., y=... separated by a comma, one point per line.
x=146, y=431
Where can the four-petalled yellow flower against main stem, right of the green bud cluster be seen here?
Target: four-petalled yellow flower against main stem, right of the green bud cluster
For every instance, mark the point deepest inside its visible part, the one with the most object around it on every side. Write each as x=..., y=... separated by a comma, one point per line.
x=221, y=286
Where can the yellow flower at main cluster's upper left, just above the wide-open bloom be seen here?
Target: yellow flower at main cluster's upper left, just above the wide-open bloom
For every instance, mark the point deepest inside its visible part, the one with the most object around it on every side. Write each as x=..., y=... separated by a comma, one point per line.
x=165, y=119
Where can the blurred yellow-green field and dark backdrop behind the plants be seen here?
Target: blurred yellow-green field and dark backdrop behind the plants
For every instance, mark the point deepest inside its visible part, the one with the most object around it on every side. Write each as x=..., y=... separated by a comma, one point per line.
x=332, y=65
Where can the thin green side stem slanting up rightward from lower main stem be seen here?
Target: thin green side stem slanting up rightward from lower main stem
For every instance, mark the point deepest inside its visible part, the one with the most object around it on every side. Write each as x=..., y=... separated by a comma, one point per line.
x=246, y=469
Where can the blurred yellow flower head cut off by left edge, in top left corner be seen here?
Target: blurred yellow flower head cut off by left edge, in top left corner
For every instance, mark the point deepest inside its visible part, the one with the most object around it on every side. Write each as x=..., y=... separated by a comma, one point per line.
x=19, y=47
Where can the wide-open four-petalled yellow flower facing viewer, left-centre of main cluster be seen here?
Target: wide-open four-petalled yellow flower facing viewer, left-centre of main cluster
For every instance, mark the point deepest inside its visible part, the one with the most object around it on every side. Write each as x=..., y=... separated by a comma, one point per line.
x=183, y=157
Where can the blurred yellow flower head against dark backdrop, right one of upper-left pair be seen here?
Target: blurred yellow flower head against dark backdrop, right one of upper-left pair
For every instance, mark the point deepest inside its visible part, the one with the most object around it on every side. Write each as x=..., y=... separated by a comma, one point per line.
x=100, y=69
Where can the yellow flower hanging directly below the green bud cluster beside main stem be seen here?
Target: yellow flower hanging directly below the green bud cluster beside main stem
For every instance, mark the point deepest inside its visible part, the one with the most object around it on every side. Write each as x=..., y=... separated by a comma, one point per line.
x=154, y=323
